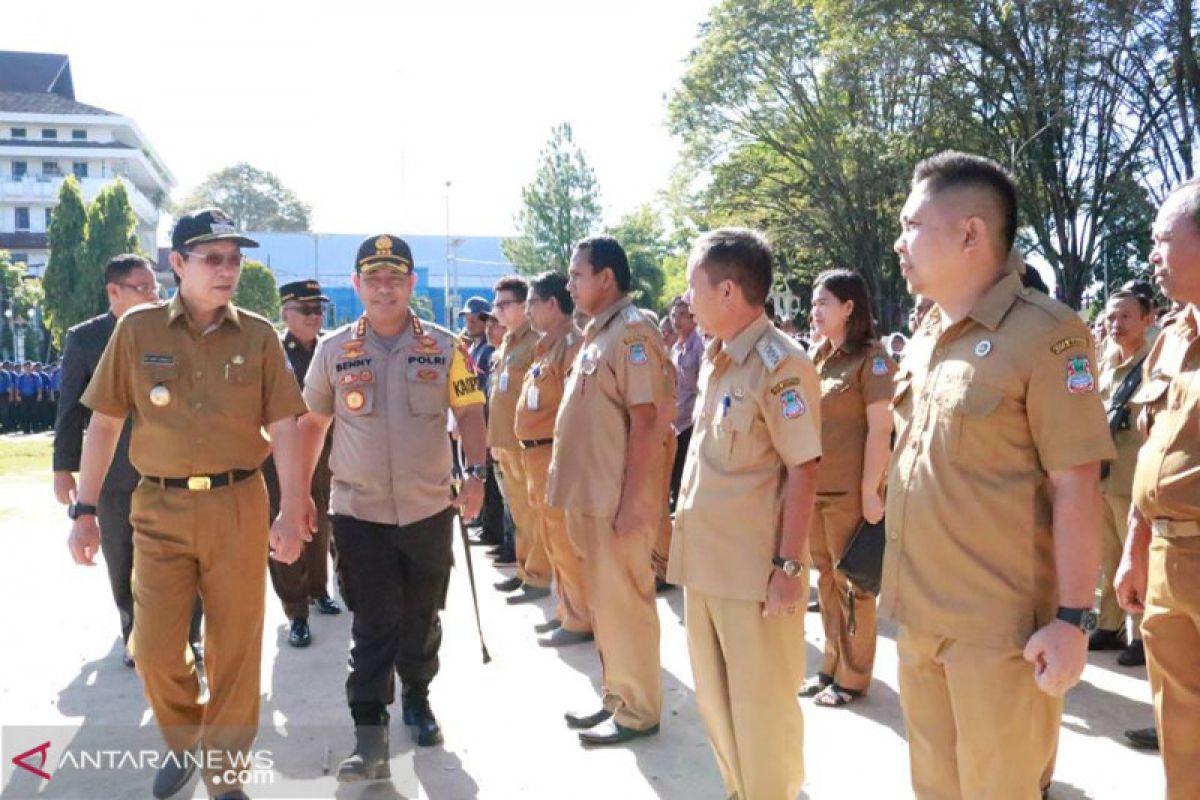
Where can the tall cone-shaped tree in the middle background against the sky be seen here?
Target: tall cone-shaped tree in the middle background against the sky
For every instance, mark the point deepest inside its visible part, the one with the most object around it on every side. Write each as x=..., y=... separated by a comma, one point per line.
x=561, y=207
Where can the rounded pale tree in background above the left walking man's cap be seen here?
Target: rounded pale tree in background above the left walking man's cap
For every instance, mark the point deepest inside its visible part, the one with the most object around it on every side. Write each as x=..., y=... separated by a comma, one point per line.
x=254, y=199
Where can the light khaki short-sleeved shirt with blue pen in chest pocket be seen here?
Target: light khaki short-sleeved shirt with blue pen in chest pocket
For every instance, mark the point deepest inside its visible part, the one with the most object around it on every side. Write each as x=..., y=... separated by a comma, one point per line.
x=759, y=414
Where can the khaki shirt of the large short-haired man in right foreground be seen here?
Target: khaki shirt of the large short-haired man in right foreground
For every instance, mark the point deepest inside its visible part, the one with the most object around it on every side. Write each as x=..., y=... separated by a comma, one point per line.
x=985, y=410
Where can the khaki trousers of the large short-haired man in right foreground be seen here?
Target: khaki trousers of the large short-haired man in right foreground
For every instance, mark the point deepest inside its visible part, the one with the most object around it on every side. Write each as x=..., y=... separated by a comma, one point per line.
x=979, y=727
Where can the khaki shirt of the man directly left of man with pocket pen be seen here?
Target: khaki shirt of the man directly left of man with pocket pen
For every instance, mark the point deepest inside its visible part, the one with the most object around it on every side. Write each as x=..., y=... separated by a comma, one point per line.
x=621, y=365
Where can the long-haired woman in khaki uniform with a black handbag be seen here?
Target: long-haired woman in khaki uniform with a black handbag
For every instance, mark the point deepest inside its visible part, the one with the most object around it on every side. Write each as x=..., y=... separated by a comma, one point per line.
x=856, y=429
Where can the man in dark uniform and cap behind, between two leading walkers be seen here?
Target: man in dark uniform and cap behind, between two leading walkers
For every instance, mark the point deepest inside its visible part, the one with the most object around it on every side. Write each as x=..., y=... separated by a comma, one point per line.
x=303, y=582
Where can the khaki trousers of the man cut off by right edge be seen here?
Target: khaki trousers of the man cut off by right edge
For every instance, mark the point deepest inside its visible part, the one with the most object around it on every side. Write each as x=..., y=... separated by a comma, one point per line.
x=1172, y=628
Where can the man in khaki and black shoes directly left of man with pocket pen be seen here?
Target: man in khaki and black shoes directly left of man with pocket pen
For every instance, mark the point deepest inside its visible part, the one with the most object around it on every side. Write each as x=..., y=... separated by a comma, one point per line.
x=608, y=473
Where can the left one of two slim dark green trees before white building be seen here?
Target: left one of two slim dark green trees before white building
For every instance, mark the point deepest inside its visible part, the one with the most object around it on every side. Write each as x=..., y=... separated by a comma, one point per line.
x=68, y=240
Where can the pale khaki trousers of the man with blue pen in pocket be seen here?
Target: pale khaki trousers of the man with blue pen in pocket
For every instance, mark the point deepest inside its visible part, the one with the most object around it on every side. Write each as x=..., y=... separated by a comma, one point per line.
x=748, y=672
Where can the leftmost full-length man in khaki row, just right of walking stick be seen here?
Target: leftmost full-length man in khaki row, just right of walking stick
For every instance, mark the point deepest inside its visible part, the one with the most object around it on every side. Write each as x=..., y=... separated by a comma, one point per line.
x=511, y=365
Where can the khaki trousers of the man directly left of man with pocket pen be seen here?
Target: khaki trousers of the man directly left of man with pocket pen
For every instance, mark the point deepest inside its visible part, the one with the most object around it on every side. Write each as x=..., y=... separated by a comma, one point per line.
x=620, y=582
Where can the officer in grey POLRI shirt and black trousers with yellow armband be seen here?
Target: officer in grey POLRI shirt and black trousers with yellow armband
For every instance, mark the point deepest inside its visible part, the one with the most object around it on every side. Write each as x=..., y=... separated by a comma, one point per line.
x=389, y=381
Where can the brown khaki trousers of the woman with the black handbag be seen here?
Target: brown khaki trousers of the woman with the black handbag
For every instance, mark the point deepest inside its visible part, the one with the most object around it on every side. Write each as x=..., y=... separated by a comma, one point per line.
x=849, y=660
